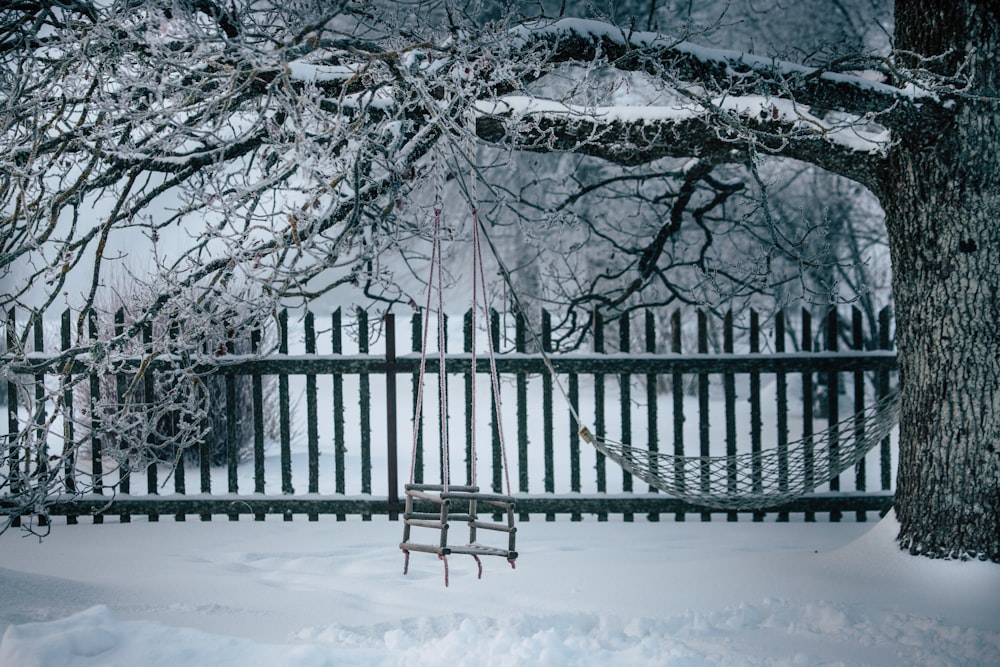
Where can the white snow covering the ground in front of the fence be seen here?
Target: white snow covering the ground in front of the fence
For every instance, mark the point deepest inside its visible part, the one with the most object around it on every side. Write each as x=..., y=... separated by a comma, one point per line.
x=333, y=593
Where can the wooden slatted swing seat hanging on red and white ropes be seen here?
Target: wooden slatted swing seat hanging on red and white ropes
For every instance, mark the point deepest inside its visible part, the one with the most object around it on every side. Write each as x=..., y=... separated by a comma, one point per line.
x=442, y=504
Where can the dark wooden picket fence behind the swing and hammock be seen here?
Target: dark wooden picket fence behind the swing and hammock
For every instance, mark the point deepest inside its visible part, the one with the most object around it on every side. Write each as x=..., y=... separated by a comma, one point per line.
x=663, y=377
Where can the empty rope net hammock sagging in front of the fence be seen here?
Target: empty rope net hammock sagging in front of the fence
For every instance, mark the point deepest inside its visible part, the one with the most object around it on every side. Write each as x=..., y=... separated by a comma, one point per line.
x=766, y=478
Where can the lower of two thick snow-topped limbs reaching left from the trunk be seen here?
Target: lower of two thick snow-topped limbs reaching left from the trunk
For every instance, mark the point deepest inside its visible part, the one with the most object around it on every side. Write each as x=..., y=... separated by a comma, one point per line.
x=726, y=129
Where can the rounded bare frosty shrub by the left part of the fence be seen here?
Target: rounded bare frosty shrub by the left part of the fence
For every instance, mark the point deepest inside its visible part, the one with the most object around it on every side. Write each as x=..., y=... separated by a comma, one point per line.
x=162, y=407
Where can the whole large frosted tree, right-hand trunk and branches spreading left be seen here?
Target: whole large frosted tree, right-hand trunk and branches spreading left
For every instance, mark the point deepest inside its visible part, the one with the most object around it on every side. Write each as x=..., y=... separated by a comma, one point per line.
x=294, y=145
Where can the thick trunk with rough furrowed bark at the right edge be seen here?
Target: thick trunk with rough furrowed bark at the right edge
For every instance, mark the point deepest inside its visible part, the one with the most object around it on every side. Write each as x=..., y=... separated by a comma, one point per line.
x=941, y=193
